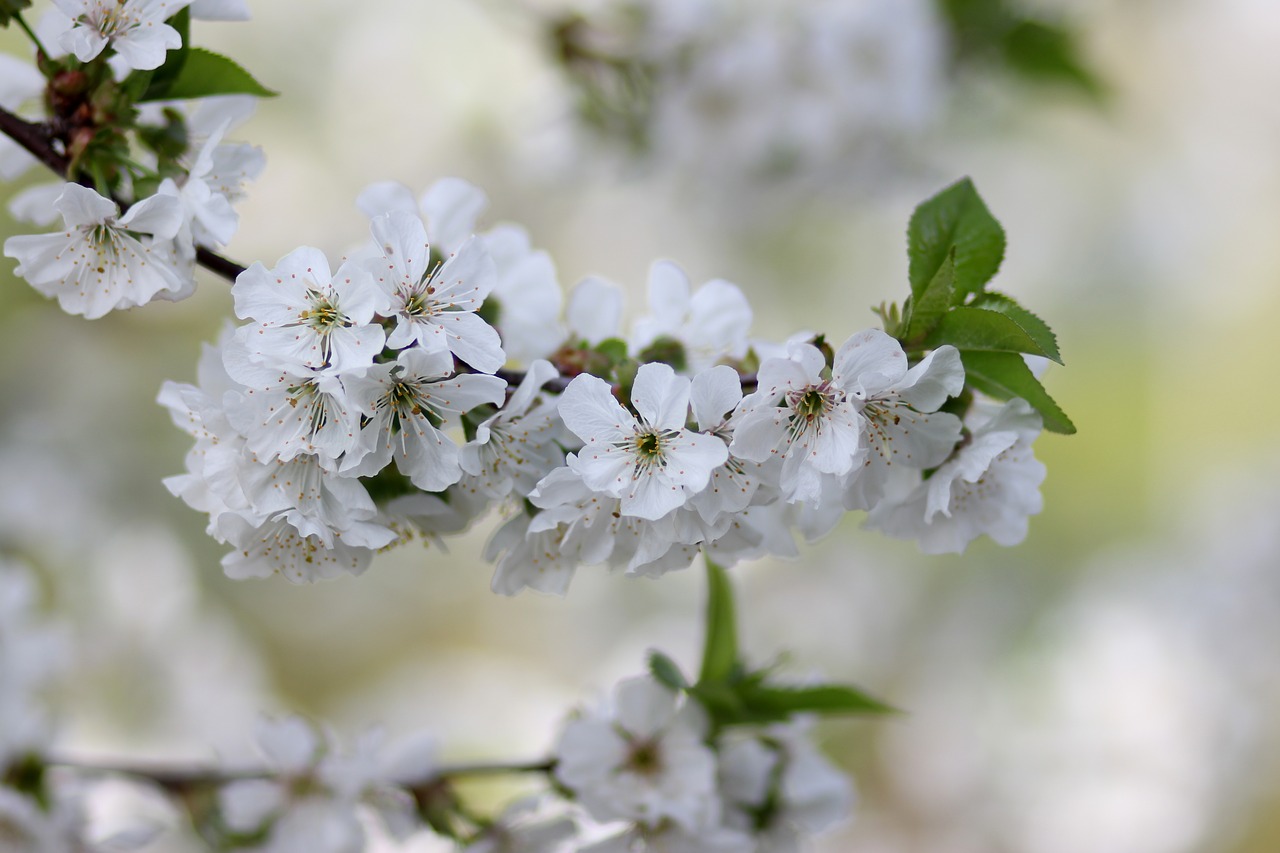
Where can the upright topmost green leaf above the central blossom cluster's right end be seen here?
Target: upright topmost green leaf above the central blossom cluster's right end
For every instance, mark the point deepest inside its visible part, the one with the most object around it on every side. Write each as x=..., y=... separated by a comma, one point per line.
x=957, y=218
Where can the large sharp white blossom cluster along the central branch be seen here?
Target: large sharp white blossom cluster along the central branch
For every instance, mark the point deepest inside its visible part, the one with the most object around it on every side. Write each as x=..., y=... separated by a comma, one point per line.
x=374, y=404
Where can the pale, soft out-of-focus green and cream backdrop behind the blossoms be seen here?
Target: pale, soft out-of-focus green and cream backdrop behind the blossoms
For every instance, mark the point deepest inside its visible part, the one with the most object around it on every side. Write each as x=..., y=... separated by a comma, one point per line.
x=1110, y=686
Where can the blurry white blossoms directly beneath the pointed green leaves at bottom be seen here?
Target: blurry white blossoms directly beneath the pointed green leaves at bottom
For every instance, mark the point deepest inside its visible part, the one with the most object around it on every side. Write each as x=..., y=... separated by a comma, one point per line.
x=651, y=763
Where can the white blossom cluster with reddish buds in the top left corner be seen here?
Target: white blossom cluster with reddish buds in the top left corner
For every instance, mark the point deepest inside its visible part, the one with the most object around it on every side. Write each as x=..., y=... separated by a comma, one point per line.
x=179, y=167
